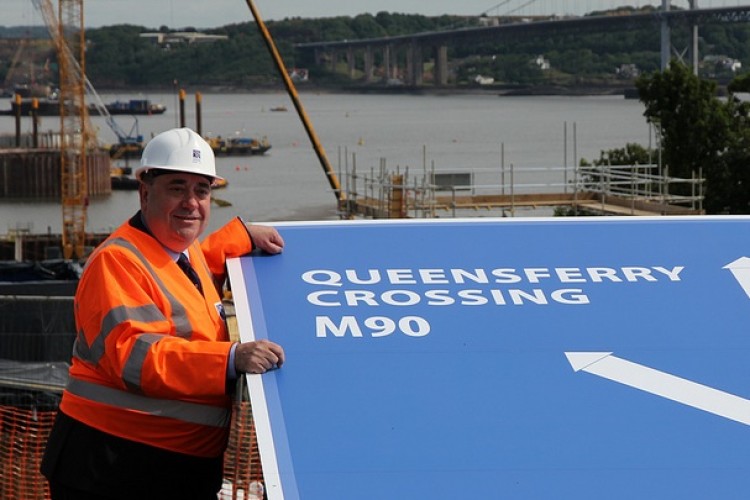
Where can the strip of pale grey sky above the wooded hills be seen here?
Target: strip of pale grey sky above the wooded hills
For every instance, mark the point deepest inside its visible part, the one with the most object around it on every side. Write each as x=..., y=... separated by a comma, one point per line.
x=199, y=14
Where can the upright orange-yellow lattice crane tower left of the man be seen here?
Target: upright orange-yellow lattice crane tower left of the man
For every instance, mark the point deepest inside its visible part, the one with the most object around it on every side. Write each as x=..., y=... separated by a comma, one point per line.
x=76, y=133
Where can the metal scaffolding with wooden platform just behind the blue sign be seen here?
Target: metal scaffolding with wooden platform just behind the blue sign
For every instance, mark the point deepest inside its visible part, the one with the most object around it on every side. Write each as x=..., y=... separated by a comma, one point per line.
x=583, y=190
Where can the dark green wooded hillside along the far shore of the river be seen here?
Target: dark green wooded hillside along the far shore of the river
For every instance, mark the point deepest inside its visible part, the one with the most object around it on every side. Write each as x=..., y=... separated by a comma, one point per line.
x=118, y=57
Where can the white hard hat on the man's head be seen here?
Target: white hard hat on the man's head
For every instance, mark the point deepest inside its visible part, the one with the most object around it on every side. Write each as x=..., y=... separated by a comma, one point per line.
x=179, y=150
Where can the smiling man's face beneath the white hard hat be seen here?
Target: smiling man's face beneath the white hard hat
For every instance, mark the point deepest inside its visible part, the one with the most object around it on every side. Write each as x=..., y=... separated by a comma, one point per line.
x=176, y=208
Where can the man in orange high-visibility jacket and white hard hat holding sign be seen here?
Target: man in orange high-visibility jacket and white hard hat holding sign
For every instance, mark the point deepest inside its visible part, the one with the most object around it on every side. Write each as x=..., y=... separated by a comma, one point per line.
x=147, y=409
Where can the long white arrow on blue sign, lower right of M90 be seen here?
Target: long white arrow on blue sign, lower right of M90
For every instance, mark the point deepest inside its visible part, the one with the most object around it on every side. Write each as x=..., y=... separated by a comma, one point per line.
x=662, y=384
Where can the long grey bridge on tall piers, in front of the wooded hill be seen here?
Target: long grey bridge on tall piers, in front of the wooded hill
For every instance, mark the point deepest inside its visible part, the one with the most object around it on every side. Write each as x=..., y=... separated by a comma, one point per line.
x=434, y=45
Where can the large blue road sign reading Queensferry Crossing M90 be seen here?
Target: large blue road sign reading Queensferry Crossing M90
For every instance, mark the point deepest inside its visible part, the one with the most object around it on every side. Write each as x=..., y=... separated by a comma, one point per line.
x=504, y=358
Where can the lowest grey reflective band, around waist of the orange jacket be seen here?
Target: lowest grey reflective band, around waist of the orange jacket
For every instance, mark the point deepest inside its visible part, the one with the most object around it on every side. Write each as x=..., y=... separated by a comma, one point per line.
x=179, y=410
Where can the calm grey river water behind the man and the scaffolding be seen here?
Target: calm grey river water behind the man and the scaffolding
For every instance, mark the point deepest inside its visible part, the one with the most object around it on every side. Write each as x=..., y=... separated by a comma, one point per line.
x=478, y=133
